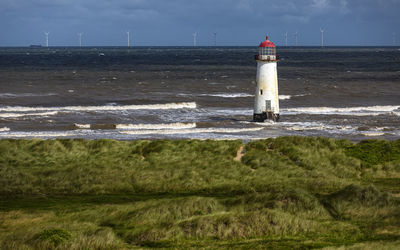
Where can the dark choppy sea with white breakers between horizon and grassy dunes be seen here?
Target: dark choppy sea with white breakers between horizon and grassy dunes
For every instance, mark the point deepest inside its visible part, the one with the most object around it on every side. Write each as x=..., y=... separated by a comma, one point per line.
x=196, y=93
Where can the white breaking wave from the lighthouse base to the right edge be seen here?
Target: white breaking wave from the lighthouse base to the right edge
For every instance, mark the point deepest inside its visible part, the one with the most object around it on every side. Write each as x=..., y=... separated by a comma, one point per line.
x=356, y=111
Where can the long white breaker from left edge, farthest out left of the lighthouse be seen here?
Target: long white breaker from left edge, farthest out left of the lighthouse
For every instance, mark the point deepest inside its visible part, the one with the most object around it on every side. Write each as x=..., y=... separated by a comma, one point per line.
x=188, y=105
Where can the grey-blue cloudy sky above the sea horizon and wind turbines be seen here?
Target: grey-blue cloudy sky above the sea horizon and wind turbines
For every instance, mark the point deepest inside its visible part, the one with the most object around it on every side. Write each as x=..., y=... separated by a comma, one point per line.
x=173, y=22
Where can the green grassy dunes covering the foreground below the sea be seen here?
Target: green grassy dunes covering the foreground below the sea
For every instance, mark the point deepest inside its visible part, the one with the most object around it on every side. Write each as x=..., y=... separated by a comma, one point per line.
x=289, y=192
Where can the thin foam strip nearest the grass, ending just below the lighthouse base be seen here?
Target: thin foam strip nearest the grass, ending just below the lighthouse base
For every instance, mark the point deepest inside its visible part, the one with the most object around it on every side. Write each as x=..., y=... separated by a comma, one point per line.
x=190, y=131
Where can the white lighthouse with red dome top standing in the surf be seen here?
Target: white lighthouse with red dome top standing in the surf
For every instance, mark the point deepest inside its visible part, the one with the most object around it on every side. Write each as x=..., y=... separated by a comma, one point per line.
x=266, y=105
